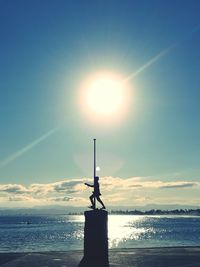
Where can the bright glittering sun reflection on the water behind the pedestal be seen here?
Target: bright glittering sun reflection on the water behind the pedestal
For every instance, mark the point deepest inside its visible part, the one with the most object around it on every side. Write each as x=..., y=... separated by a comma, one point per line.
x=123, y=230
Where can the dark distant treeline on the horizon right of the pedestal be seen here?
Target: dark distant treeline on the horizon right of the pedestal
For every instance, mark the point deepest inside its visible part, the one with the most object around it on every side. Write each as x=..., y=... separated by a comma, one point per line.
x=195, y=212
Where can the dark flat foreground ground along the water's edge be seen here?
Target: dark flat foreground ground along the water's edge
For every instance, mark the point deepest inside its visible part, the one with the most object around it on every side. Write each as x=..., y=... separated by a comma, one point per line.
x=152, y=257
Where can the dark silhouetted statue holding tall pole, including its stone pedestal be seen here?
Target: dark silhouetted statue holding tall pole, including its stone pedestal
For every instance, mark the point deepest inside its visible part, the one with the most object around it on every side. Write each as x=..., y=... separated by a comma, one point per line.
x=95, y=229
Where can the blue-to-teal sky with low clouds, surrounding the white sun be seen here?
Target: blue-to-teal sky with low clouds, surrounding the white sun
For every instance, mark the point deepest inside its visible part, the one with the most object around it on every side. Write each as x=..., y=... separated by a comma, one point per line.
x=147, y=154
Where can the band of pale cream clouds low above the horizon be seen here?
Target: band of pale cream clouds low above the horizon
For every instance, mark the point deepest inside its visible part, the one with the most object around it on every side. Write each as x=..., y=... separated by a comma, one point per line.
x=115, y=191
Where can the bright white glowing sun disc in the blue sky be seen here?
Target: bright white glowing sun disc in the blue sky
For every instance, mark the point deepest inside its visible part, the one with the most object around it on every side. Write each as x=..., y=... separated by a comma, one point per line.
x=104, y=96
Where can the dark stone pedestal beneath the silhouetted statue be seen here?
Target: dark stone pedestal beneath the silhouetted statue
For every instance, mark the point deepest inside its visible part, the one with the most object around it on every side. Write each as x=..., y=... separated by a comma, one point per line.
x=95, y=239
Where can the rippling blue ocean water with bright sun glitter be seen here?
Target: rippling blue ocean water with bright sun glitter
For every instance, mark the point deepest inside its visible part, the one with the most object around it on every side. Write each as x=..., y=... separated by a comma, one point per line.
x=65, y=232
